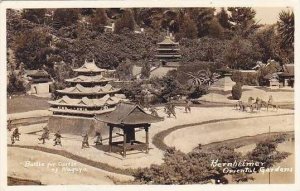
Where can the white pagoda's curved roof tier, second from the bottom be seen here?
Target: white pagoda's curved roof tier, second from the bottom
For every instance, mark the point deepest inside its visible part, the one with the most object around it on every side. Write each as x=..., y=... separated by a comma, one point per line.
x=96, y=90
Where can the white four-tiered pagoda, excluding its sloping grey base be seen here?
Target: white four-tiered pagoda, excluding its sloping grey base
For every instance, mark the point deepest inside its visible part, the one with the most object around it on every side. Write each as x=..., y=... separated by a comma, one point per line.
x=90, y=93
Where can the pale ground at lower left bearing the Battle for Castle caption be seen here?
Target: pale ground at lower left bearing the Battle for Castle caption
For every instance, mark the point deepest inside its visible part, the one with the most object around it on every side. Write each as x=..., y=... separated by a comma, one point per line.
x=35, y=165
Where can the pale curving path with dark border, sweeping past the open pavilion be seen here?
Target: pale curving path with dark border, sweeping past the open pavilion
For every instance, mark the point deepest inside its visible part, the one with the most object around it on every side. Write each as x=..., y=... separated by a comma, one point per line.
x=99, y=159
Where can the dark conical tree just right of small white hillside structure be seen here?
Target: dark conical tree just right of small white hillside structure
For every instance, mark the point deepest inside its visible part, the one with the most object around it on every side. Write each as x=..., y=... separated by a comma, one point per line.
x=125, y=22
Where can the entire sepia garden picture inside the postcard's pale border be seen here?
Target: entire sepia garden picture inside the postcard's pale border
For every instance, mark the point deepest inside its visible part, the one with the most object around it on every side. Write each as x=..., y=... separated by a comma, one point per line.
x=150, y=95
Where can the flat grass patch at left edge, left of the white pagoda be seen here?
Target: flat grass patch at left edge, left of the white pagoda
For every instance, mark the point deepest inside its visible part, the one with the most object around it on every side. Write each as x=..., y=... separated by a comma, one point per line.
x=26, y=103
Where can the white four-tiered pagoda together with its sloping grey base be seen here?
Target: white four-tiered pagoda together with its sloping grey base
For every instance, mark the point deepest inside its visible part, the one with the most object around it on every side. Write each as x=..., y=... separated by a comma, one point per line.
x=90, y=94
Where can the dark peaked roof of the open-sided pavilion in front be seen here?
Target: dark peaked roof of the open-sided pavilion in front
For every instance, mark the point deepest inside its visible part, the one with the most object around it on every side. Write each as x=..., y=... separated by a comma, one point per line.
x=128, y=113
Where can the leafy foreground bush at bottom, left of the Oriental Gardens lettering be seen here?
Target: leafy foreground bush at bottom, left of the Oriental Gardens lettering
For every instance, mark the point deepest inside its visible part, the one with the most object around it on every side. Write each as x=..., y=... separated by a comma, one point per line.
x=191, y=168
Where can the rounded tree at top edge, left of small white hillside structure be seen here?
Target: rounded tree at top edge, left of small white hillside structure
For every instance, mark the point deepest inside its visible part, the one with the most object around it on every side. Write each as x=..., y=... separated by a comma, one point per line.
x=99, y=20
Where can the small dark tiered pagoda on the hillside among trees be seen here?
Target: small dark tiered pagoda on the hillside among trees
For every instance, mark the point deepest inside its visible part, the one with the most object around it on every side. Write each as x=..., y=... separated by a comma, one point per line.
x=168, y=51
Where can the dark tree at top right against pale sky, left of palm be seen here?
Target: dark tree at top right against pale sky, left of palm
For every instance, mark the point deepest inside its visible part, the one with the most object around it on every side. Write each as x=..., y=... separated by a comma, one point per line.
x=243, y=20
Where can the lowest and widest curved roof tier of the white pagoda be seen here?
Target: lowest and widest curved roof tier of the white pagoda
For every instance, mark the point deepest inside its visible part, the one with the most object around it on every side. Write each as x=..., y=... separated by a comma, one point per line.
x=86, y=102
